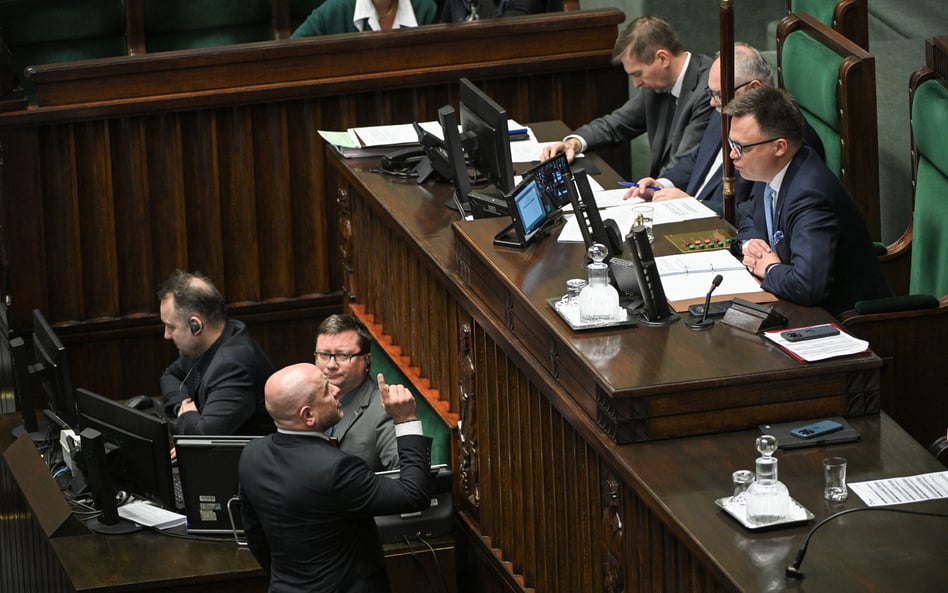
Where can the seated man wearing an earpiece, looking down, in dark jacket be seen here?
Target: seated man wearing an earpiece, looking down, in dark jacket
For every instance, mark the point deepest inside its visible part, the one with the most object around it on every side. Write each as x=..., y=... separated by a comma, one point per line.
x=215, y=387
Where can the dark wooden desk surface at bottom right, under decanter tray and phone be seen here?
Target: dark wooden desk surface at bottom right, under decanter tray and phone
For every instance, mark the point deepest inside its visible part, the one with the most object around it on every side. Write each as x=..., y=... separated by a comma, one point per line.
x=867, y=551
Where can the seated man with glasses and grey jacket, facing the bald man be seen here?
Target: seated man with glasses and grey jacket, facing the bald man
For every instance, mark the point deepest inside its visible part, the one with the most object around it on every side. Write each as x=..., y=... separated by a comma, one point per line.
x=343, y=354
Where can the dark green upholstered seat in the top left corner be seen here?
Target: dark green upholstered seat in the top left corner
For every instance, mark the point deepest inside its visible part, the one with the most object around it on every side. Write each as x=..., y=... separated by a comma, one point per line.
x=54, y=31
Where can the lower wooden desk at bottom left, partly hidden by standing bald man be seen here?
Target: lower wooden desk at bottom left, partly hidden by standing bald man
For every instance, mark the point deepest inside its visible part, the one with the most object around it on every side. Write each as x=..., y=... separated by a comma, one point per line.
x=43, y=548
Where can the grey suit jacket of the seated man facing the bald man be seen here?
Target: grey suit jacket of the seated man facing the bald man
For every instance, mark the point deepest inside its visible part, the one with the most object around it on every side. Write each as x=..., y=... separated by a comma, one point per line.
x=366, y=430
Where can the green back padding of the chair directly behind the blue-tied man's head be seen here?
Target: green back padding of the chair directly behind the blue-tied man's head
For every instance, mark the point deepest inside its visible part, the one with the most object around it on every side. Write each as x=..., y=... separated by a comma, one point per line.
x=810, y=74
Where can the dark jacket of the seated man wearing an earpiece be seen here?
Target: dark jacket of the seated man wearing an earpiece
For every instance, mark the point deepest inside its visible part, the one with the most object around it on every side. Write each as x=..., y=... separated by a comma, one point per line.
x=226, y=384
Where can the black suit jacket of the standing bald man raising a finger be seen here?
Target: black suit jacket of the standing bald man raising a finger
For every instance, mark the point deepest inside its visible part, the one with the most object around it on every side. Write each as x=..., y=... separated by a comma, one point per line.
x=308, y=511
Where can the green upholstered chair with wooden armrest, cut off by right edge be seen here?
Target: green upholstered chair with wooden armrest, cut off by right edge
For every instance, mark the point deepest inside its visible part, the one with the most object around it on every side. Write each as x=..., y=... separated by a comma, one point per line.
x=911, y=342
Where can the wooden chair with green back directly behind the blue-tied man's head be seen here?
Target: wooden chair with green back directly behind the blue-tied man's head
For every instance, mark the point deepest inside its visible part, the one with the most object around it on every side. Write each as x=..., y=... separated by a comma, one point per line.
x=834, y=81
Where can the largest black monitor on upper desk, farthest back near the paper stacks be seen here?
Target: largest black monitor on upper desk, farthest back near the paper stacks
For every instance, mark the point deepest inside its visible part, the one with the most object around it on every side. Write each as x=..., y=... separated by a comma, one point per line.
x=485, y=122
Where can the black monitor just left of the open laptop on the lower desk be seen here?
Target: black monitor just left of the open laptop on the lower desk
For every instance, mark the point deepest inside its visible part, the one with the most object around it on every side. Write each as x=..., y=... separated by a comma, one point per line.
x=137, y=446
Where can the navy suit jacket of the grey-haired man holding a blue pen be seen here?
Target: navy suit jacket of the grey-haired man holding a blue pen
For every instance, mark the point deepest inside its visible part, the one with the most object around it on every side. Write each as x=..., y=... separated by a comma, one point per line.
x=689, y=172
